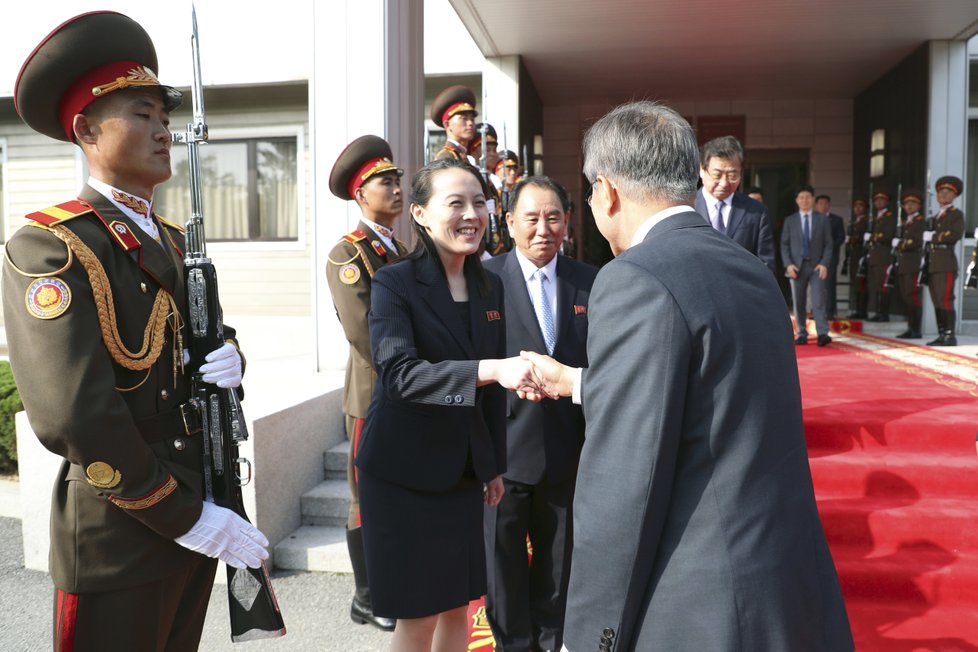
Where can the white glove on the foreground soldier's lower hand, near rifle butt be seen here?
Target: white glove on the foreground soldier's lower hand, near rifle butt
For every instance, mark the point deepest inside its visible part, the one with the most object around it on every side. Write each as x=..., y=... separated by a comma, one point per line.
x=221, y=533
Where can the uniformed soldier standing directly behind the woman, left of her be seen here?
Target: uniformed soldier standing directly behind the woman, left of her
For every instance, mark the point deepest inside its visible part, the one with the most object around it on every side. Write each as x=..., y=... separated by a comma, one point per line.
x=364, y=173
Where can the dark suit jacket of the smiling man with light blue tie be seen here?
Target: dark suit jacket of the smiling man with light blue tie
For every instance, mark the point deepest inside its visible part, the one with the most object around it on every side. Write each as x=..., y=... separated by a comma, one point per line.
x=545, y=438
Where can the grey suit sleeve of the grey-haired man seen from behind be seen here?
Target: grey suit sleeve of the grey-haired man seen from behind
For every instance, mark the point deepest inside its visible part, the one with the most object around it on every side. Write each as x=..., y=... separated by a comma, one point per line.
x=633, y=395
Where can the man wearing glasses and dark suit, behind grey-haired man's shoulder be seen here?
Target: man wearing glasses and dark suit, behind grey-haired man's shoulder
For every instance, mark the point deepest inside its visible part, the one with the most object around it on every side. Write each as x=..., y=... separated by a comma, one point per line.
x=732, y=213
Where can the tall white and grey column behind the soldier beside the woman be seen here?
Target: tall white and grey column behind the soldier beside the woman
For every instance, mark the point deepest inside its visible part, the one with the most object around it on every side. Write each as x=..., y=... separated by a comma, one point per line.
x=367, y=79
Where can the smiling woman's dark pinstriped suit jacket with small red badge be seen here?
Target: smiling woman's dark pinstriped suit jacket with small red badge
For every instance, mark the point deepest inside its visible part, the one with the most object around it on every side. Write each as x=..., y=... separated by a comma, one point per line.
x=426, y=413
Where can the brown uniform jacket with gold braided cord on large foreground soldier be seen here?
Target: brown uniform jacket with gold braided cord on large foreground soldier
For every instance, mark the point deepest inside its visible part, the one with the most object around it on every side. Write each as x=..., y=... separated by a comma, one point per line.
x=93, y=351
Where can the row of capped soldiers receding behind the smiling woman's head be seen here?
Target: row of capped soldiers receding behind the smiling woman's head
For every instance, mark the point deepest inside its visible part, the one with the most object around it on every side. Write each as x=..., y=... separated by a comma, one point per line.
x=477, y=143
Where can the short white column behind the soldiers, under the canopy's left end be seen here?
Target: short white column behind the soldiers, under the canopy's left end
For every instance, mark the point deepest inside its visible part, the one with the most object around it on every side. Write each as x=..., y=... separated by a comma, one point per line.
x=500, y=101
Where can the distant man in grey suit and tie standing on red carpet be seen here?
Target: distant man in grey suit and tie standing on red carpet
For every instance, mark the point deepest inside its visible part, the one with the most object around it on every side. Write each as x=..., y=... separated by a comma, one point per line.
x=806, y=249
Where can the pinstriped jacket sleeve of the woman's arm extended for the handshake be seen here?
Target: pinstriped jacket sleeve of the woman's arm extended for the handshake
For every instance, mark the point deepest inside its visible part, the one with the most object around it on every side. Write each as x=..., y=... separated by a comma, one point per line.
x=403, y=374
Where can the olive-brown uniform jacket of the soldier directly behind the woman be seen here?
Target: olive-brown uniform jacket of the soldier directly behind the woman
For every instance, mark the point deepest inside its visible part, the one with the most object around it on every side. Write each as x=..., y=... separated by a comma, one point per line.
x=352, y=263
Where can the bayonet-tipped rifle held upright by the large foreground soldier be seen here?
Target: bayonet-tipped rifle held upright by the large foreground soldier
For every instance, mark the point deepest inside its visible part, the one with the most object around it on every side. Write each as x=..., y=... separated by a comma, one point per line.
x=253, y=608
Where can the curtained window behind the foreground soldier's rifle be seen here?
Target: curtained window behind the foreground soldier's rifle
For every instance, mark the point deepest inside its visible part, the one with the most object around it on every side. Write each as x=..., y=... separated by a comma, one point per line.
x=249, y=189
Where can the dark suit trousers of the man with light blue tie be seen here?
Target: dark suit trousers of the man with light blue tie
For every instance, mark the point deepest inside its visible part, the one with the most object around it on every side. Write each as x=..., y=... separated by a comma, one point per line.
x=525, y=602
